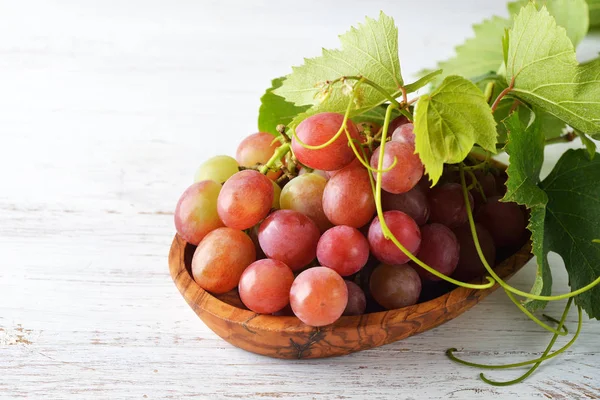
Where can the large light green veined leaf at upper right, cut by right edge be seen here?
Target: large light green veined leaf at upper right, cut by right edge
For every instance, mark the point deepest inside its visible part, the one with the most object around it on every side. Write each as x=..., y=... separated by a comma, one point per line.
x=541, y=60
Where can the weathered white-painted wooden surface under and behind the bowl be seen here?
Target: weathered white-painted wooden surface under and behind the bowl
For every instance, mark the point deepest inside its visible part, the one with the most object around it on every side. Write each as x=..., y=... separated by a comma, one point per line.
x=106, y=110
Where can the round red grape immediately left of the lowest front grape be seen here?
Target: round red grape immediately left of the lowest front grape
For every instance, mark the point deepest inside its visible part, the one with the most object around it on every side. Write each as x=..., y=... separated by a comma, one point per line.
x=265, y=286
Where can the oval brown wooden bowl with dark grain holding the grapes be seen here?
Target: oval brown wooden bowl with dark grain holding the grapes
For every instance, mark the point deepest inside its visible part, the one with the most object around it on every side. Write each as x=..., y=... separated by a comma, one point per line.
x=287, y=337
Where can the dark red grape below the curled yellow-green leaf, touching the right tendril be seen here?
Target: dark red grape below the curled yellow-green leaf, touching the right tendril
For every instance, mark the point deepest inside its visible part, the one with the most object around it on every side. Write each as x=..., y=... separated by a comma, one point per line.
x=447, y=205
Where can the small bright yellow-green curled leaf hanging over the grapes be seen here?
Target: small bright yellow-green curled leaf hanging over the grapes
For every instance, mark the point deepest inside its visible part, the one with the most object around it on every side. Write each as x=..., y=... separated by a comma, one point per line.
x=449, y=121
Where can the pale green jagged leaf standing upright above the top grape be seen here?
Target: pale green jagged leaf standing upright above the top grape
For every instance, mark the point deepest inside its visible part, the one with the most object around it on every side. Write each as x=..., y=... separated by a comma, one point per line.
x=371, y=51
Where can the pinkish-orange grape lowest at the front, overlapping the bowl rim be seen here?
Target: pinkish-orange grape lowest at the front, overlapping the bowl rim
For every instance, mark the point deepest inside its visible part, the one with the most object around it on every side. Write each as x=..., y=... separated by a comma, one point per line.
x=318, y=296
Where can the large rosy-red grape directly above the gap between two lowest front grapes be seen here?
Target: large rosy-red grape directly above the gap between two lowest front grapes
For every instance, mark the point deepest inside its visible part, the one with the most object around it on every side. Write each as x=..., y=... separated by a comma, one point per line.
x=290, y=237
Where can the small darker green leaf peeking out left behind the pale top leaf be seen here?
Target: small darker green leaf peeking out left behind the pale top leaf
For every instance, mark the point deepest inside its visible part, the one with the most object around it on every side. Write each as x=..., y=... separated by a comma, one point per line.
x=274, y=110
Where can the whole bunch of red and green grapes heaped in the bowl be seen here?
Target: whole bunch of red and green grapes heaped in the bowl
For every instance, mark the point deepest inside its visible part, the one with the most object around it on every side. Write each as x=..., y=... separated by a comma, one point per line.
x=300, y=242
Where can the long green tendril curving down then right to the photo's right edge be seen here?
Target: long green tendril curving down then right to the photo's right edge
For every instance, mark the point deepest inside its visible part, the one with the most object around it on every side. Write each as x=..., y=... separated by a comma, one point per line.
x=504, y=285
